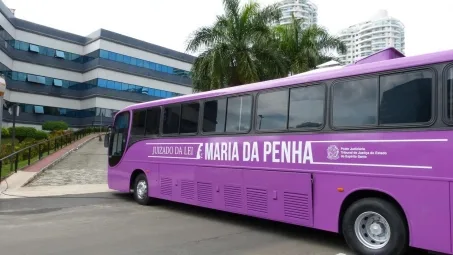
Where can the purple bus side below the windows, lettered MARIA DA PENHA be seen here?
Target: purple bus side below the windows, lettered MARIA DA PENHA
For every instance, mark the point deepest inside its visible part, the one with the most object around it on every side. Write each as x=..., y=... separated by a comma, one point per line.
x=270, y=176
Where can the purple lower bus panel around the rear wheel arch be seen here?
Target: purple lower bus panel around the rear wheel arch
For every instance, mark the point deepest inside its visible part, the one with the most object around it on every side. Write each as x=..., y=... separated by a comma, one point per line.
x=425, y=203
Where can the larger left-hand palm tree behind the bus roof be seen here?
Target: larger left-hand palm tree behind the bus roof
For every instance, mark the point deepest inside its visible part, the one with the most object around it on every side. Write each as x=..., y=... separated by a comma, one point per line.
x=239, y=48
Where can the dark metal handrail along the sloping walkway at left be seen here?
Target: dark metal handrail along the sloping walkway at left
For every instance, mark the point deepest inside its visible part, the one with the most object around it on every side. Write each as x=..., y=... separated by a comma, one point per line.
x=59, y=142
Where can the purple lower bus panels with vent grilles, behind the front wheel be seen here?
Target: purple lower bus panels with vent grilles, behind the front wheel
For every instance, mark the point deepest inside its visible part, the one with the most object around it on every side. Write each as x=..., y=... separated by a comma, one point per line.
x=273, y=195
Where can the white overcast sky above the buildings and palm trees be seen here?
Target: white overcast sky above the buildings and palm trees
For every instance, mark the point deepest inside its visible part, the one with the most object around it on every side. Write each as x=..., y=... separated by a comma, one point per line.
x=169, y=22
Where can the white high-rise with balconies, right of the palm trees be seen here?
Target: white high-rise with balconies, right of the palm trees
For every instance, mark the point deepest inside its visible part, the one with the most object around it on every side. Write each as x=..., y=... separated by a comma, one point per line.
x=368, y=37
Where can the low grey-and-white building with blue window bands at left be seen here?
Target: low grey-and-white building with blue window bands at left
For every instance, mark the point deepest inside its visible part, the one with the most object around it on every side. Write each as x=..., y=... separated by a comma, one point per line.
x=56, y=75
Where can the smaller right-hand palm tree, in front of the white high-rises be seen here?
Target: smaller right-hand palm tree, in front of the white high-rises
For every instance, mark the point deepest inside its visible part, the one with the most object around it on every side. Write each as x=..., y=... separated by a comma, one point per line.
x=306, y=48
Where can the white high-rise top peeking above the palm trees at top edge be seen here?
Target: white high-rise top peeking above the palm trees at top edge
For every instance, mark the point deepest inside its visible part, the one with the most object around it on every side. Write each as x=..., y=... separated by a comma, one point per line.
x=302, y=9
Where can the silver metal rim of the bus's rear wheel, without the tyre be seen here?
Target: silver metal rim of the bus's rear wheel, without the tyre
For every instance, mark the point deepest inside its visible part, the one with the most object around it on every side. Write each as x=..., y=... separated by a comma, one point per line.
x=372, y=230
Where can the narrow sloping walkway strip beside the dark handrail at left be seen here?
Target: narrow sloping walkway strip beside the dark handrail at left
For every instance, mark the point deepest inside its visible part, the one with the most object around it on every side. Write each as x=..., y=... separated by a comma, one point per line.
x=22, y=177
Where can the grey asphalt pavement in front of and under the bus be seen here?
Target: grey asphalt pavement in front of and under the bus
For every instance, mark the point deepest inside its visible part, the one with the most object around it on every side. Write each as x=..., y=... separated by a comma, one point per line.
x=110, y=224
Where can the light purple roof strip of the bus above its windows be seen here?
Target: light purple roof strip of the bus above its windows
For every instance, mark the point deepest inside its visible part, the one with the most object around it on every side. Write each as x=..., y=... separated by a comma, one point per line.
x=385, y=60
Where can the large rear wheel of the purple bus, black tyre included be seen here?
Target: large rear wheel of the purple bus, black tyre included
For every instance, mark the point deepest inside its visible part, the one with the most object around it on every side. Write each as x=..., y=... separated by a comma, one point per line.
x=375, y=226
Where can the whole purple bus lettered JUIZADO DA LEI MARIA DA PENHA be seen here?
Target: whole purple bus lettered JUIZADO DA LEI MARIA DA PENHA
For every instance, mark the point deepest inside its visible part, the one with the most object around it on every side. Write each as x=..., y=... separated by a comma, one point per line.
x=361, y=150
